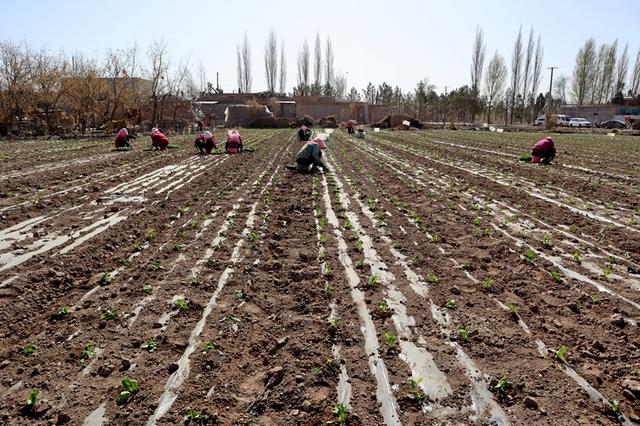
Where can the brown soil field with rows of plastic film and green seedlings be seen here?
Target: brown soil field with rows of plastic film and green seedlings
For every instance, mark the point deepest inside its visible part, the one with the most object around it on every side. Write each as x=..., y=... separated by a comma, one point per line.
x=428, y=277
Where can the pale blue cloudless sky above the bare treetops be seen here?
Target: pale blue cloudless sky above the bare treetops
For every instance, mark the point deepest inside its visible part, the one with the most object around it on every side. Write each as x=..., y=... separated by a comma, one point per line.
x=399, y=41
